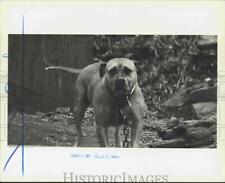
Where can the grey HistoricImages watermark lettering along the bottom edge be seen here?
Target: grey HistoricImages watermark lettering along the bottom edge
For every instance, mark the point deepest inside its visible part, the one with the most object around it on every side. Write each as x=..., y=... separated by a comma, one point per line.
x=123, y=177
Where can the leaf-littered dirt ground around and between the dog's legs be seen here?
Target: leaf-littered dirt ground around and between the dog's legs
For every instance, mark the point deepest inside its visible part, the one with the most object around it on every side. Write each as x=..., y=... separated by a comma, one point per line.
x=56, y=128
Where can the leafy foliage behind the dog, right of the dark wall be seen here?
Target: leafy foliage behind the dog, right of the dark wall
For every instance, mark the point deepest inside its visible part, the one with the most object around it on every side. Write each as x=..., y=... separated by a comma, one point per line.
x=165, y=65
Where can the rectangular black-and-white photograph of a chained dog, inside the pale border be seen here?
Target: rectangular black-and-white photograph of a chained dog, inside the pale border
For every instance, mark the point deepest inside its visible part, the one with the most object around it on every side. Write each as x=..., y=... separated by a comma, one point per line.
x=143, y=91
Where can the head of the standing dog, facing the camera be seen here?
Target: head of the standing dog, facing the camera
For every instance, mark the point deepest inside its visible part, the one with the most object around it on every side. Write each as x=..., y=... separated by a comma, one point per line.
x=120, y=76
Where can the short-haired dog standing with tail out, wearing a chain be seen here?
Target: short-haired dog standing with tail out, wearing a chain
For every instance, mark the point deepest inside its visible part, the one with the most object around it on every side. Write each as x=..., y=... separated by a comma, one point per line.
x=112, y=90
